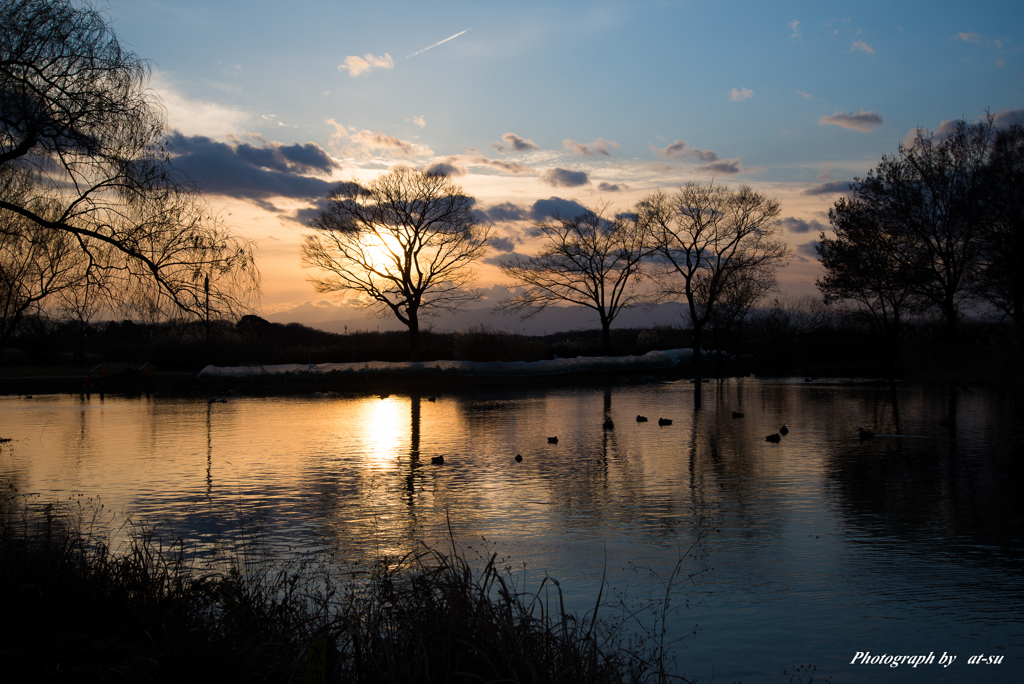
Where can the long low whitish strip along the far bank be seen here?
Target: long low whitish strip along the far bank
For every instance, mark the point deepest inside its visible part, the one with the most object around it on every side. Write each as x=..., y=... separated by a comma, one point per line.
x=651, y=361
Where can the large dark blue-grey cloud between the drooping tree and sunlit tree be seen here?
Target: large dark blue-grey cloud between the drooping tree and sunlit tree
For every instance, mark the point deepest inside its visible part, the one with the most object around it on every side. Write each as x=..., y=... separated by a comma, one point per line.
x=241, y=170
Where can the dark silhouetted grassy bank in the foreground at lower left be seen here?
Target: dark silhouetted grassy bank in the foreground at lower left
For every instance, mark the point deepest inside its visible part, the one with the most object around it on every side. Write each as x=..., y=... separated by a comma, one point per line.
x=75, y=611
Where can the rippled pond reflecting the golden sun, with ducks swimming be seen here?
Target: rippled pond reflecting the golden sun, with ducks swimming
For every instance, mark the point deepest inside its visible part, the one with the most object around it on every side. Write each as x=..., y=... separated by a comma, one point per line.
x=815, y=549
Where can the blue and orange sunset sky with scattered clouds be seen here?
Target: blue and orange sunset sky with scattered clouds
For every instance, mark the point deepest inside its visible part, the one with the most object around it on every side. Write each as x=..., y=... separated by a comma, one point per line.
x=541, y=106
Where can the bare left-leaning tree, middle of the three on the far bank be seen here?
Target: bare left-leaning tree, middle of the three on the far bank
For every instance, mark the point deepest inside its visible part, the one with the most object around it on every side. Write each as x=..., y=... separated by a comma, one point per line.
x=588, y=261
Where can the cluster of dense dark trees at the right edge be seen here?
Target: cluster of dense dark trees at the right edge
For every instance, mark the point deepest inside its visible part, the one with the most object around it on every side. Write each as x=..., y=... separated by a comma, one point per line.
x=936, y=230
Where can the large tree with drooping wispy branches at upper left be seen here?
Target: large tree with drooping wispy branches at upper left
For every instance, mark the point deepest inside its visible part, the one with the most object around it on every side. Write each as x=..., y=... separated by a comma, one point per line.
x=80, y=135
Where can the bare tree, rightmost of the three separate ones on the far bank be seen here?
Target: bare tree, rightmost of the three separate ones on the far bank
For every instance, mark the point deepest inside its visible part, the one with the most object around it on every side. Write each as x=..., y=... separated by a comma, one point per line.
x=717, y=248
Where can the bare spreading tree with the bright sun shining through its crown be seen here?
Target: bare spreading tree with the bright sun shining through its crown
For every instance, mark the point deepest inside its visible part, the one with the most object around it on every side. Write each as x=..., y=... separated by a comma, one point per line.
x=405, y=244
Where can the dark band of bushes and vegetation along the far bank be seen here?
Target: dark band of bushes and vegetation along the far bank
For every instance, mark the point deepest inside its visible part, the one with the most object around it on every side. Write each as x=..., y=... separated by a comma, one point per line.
x=797, y=338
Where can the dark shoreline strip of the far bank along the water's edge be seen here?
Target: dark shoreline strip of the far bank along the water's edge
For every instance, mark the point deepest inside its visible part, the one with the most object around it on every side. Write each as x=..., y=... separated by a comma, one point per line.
x=951, y=368
